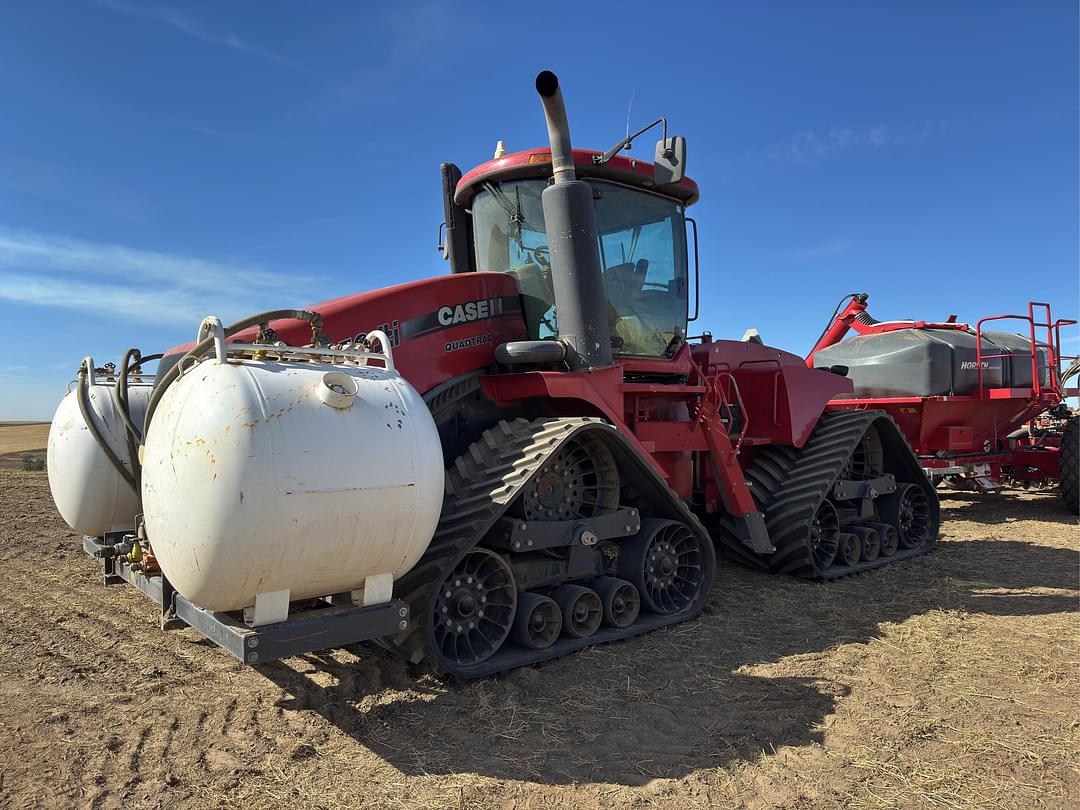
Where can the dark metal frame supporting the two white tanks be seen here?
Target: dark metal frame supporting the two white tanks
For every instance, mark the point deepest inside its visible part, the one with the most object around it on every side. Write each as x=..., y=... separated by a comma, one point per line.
x=322, y=627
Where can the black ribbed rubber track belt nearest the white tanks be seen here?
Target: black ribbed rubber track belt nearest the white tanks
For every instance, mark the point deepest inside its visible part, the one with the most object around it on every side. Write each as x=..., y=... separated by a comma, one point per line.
x=481, y=484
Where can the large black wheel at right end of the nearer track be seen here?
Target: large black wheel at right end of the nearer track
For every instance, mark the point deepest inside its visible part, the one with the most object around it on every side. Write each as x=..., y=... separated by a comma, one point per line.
x=666, y=563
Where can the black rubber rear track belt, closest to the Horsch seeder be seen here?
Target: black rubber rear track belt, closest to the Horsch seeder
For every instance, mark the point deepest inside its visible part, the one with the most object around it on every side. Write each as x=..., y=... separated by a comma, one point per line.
x=790, y=484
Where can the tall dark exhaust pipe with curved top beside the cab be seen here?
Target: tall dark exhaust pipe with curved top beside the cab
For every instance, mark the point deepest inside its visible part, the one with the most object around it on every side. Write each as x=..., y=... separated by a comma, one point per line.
x=571, y=222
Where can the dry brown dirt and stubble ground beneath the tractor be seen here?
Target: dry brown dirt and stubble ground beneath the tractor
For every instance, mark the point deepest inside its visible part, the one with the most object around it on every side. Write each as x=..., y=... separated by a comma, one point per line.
x=950, y=681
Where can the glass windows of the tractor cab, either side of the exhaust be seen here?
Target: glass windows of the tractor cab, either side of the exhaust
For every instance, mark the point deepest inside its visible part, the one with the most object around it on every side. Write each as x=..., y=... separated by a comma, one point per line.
x=643, y=256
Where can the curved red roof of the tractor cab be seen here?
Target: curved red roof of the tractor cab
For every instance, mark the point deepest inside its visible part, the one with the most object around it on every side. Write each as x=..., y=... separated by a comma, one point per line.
x=537, y=164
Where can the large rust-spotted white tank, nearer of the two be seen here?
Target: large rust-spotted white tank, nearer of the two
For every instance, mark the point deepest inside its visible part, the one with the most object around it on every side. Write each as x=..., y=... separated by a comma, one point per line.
x=266, y=477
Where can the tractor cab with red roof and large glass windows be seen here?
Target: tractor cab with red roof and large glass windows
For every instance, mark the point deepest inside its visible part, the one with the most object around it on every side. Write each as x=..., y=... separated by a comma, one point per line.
x=496, y=223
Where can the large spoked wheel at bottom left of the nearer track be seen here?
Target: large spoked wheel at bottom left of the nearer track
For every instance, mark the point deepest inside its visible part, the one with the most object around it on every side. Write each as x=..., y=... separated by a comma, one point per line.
x=475, y=610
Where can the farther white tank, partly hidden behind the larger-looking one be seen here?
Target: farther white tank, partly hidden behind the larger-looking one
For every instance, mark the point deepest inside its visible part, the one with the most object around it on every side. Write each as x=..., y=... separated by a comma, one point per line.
x=91, y=495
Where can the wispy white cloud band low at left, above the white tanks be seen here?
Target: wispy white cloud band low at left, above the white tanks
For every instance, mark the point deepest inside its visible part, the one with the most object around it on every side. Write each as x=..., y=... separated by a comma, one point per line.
x=147, y=287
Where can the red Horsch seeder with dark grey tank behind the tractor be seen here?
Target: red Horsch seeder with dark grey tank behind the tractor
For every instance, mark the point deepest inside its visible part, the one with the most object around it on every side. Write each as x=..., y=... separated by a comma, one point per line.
x=977, y=406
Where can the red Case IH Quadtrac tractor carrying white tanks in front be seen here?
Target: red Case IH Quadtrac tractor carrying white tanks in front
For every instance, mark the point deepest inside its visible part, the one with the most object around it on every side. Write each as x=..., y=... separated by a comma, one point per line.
x=492, y=468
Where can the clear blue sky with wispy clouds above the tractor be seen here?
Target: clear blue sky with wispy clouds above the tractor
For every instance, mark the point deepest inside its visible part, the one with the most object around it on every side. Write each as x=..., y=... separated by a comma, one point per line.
x=160, y=161
